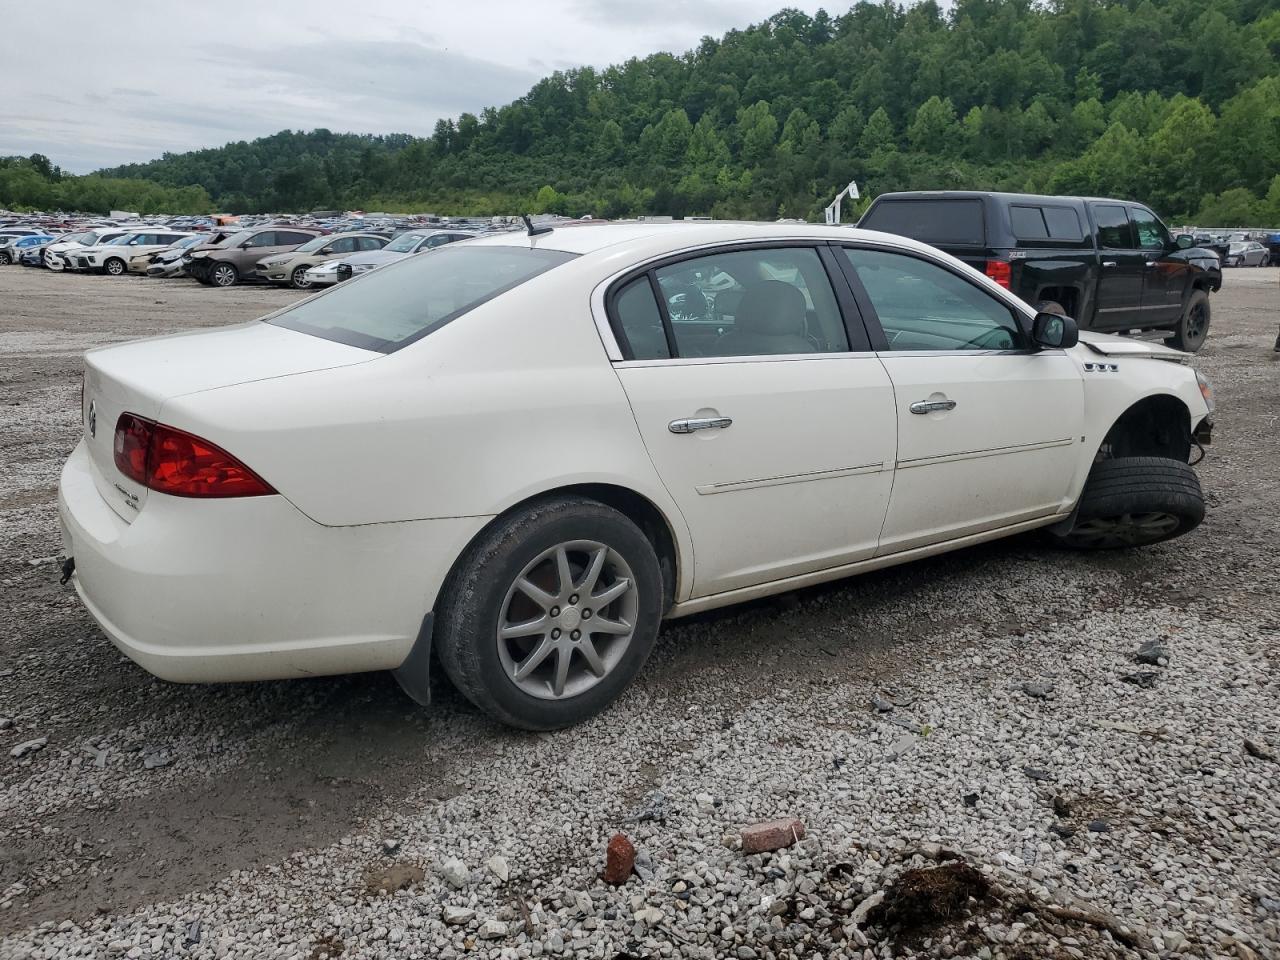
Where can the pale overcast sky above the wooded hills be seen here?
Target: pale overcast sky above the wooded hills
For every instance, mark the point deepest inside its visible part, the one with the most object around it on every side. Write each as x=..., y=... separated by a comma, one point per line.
x=102, y=84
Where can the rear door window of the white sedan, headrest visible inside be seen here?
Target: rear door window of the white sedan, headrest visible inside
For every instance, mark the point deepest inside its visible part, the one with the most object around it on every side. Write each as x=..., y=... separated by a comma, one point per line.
x=752, y=303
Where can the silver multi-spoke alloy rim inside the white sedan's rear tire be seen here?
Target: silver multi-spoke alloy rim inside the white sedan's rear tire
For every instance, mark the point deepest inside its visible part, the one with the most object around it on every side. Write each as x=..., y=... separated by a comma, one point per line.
x=568, y=620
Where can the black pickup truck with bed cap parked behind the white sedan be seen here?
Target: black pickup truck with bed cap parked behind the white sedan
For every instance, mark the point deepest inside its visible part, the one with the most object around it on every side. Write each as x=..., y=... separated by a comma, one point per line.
x=1110, y=264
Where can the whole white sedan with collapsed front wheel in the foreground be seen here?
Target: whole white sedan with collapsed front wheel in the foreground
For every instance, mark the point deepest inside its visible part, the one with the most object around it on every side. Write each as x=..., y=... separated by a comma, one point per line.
x=525, y=451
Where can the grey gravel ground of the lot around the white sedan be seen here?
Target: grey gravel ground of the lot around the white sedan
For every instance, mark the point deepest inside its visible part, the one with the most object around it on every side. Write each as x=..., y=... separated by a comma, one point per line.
x=982, y=708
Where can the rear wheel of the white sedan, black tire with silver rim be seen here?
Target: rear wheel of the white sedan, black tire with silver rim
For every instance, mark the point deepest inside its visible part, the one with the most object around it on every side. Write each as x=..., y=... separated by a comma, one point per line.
x=551, y=614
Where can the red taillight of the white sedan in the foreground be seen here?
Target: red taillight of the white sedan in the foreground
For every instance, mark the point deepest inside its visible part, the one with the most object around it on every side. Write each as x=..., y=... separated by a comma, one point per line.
x=176, y=463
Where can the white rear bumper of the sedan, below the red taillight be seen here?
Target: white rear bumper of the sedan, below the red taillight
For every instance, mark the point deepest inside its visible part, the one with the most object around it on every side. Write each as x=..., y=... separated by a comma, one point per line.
x=250, y=589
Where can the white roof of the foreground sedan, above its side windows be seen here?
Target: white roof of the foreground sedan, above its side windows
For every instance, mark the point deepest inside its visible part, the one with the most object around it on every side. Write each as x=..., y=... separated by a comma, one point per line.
x=655, y=239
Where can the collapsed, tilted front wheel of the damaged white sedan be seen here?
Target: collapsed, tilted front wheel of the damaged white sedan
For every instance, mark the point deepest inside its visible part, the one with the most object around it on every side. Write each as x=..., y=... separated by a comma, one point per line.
x=1135, y=502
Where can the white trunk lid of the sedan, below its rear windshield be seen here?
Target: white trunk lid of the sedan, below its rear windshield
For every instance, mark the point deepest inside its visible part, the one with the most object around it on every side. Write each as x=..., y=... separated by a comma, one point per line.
x=138, y=378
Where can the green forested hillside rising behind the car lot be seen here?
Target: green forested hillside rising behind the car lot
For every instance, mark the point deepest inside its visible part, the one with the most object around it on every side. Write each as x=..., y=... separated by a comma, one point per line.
x=1173, y=103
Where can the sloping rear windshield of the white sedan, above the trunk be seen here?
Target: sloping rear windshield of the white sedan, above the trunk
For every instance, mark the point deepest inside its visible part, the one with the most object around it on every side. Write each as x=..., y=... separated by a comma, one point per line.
x=396, y=305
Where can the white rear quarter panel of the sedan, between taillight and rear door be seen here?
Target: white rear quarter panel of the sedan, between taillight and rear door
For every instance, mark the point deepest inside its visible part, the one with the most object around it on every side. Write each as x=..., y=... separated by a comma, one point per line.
x=506, y=403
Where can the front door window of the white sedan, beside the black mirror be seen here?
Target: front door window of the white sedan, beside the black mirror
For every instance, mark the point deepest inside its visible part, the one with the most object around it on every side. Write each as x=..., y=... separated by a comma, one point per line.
x=925, y=307
